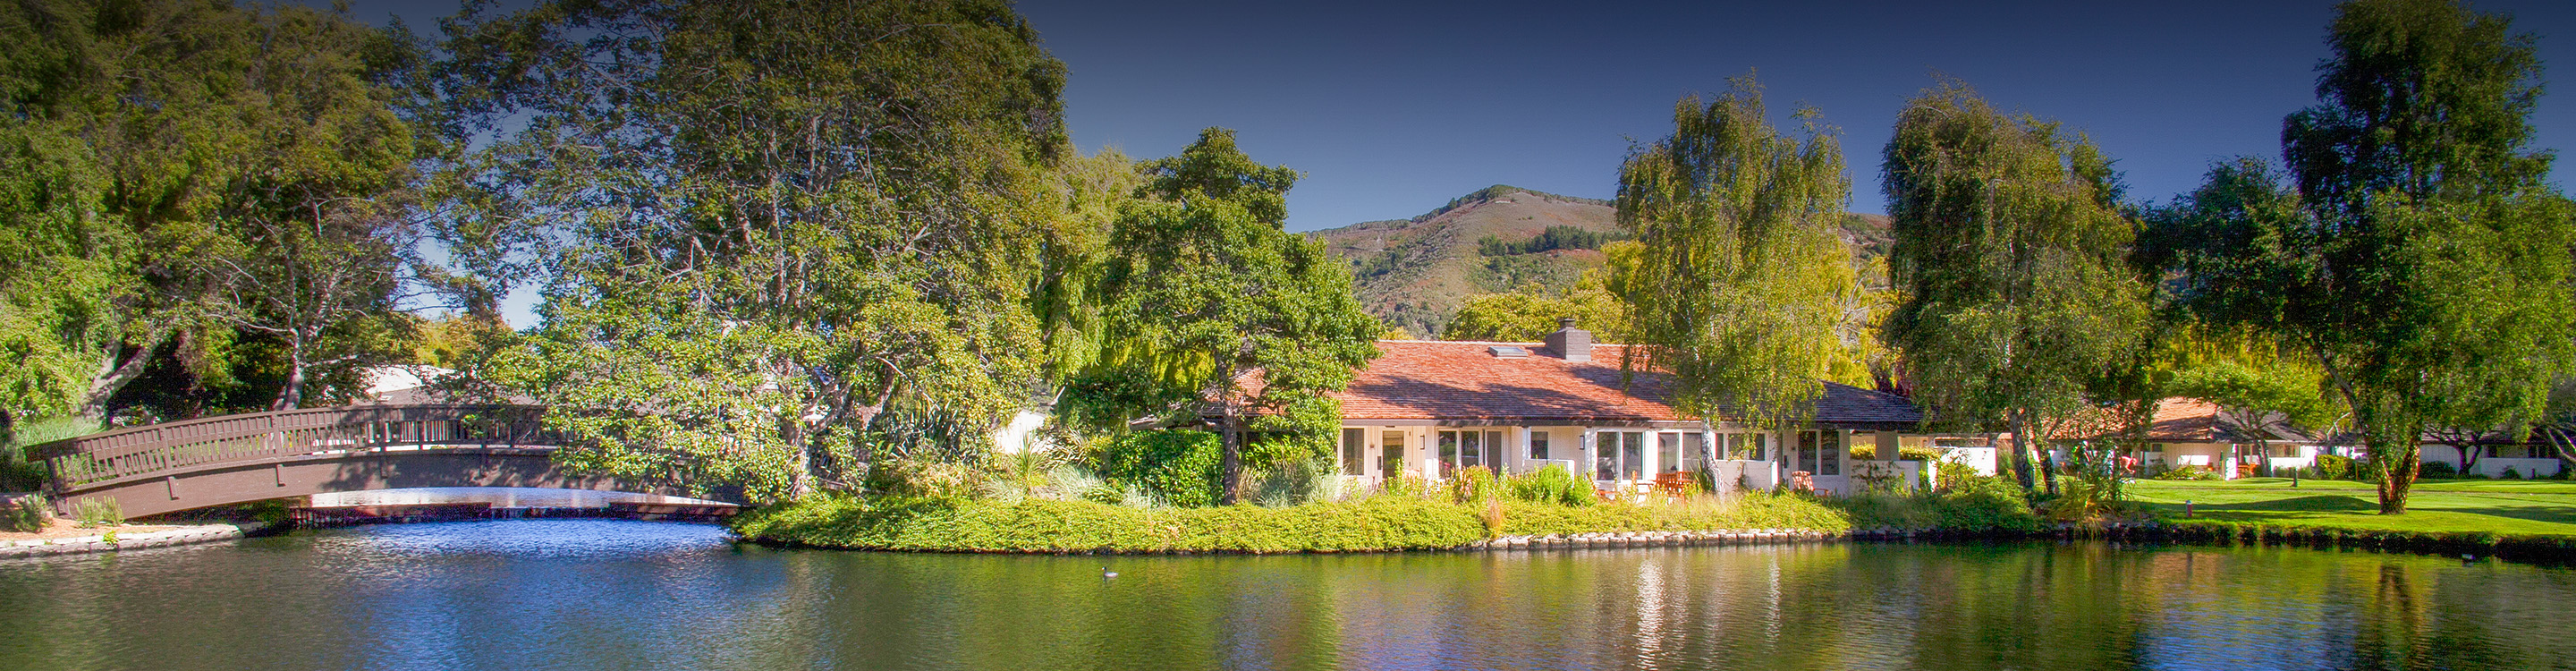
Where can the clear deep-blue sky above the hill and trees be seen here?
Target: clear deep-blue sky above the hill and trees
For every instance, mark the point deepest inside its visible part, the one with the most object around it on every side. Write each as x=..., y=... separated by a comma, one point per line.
x=1397, y=107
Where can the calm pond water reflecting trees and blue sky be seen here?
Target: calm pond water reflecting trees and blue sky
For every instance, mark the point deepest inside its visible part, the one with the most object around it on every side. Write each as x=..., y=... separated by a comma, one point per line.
x=640, y=595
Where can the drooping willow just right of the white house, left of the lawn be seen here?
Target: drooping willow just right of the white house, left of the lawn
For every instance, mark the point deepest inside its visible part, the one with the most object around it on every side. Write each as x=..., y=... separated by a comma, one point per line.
x=2011, y=257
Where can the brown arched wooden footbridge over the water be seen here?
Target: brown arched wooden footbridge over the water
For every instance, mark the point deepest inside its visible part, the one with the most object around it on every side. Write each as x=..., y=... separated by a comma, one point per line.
x=318, y=450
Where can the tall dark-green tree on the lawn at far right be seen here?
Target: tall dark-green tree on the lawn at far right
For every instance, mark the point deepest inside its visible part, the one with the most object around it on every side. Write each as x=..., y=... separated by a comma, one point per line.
x=2415, y=249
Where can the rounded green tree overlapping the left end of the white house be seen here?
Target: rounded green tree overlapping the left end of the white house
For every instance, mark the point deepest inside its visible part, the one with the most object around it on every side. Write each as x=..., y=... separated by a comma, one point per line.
x=1212, y=303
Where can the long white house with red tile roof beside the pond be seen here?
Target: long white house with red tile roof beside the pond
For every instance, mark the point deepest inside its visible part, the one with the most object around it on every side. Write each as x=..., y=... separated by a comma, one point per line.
x=1431, y=409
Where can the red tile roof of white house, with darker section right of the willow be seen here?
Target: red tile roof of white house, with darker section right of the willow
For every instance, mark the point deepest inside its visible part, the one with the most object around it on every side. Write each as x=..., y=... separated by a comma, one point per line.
x=1462, y=381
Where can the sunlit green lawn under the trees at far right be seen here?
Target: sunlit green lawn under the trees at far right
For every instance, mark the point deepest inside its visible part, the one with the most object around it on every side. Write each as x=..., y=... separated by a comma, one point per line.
x=2503, y=507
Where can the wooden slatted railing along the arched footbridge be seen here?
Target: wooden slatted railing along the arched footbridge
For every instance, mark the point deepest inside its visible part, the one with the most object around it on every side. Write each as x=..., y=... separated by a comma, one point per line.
x=285, y=435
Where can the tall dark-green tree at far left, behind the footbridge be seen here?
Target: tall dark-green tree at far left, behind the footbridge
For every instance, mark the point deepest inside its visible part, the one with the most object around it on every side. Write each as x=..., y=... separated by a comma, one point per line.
x=146, y=151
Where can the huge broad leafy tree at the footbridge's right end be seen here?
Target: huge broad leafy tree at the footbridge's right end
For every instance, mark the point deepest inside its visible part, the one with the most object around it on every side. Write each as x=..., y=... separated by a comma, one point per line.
x=759, y=226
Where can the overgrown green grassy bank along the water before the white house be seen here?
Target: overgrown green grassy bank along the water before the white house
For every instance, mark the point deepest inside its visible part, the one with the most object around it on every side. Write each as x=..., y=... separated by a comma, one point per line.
x=1369, y=525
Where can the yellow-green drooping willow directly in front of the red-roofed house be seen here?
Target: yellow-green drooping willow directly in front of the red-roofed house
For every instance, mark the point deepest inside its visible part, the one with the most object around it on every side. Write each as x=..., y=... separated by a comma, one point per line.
x=1743, y=277
